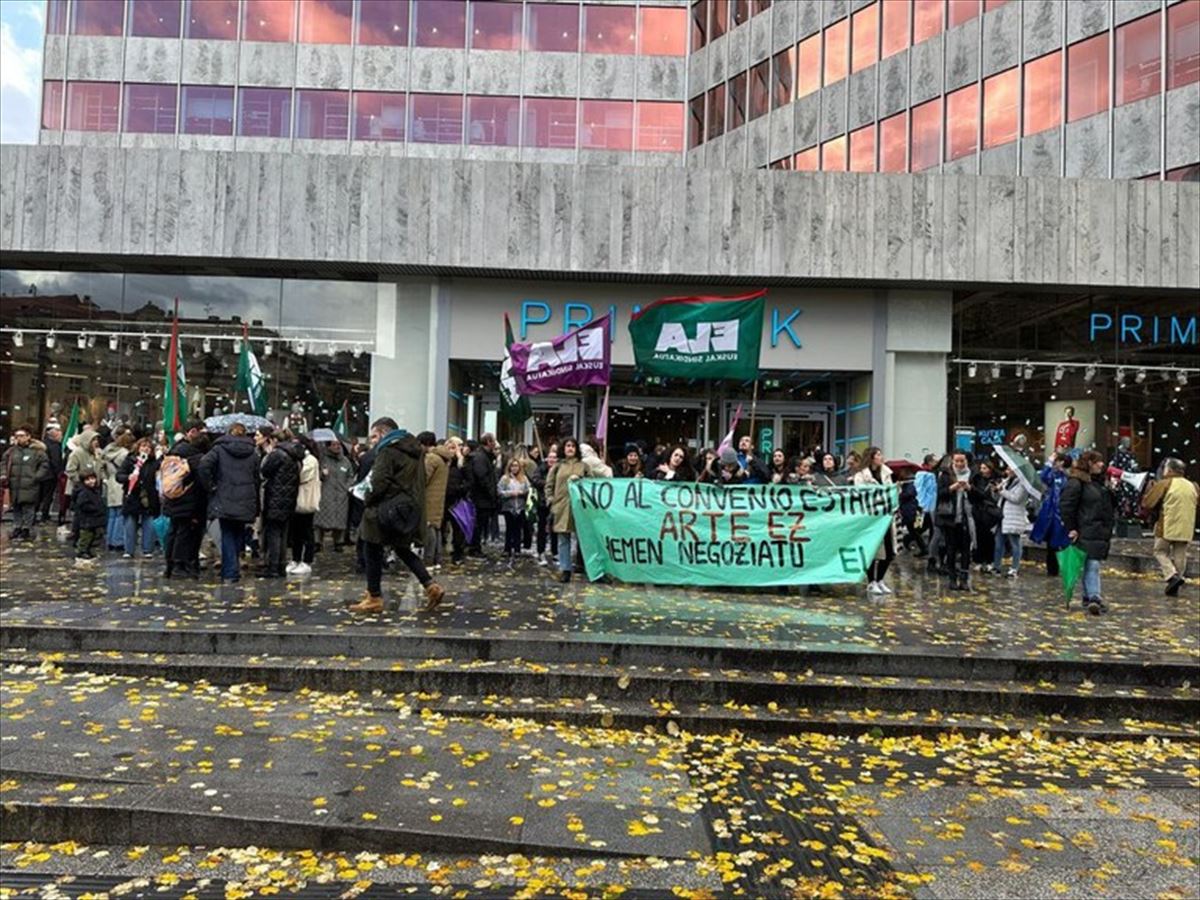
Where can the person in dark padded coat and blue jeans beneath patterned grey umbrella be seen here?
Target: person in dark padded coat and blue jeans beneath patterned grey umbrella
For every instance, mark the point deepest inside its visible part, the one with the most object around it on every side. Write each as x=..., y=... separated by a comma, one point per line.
x=230, y=476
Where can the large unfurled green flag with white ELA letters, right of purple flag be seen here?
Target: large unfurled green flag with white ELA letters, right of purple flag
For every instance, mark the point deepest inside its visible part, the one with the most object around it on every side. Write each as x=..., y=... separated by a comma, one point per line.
x=700, y=337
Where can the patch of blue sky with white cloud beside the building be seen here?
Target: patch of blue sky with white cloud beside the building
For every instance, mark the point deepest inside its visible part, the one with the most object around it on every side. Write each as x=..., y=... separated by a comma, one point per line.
x=21, y=69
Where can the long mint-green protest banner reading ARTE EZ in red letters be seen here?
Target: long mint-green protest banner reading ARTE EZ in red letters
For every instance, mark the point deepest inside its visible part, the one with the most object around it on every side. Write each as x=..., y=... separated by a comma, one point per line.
x=751, y=536
